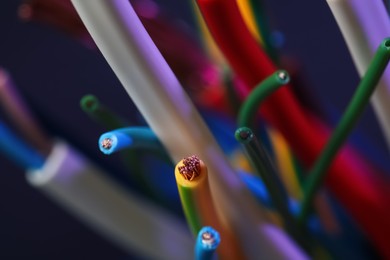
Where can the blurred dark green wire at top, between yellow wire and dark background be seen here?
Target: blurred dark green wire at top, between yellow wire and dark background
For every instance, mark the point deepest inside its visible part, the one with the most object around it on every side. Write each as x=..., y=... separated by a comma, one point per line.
x=262, y=25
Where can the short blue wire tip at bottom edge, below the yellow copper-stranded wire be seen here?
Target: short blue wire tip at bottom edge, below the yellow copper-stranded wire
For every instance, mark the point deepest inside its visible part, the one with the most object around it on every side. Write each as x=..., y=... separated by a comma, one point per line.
x=206, y=243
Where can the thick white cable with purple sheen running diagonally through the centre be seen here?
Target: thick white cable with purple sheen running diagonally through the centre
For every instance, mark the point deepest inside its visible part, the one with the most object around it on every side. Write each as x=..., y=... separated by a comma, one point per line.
x=124, y=42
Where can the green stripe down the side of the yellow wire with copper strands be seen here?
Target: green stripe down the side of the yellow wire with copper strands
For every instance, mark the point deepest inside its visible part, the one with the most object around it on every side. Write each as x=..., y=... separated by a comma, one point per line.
x=190, y=210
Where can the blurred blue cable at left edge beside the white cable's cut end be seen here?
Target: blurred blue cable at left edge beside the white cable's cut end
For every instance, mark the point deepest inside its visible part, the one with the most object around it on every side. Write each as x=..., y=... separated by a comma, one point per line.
x=17, y=151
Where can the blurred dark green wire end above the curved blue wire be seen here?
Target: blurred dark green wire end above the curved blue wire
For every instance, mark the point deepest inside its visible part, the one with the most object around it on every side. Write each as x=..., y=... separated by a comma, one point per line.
x=91, y=105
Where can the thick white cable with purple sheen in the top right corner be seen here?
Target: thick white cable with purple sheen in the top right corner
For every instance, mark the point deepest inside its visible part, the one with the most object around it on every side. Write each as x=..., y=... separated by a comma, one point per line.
x=364, y=24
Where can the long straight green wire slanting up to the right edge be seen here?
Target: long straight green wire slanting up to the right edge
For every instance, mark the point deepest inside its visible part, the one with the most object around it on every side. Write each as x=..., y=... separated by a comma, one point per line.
x=350, y=117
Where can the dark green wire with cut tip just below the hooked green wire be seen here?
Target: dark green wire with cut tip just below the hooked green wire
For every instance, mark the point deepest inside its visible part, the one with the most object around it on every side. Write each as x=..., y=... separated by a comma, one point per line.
x=263, y=165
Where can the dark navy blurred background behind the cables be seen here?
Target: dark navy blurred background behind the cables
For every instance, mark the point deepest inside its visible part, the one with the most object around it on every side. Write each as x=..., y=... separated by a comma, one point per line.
x=53, y=70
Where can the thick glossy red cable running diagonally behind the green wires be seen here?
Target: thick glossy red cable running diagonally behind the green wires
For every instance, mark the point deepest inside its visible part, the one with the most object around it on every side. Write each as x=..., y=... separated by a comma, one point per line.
x=356, y=189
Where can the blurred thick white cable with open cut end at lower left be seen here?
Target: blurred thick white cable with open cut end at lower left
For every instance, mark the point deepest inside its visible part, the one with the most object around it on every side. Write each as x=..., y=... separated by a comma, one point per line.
x=131, y=222
